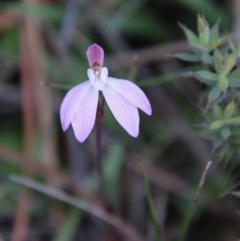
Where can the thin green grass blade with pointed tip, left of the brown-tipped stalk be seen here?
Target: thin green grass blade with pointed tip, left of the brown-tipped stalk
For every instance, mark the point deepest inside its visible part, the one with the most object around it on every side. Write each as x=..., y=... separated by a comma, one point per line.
x=152, y=212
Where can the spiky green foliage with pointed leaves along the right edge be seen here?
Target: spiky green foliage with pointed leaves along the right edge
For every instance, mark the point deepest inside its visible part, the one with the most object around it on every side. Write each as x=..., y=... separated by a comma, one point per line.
x=219, y=72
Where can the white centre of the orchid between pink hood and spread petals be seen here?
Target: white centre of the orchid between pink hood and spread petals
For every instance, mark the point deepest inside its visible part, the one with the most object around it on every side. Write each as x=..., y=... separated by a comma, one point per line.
x=97, y=76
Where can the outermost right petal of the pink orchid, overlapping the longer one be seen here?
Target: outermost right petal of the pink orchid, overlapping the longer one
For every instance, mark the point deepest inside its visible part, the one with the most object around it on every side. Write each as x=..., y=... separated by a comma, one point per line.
x=131, y=93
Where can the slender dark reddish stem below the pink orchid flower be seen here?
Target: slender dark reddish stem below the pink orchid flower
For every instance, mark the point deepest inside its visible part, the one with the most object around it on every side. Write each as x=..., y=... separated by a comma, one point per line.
x=99, y=118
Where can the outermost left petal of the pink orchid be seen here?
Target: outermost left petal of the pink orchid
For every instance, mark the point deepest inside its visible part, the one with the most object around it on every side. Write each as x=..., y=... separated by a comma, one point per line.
x=71, y=103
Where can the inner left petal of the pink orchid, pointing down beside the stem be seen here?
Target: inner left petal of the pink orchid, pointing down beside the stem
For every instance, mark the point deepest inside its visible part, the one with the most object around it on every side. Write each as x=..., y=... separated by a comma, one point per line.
x=84, y=119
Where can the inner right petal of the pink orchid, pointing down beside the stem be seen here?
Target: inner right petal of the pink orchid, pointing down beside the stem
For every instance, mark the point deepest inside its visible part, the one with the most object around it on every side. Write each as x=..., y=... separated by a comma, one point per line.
x=124, y=112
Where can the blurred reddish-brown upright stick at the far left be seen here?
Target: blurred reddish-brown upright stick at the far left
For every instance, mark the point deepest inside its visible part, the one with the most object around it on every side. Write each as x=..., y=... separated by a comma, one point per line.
x=20, y=228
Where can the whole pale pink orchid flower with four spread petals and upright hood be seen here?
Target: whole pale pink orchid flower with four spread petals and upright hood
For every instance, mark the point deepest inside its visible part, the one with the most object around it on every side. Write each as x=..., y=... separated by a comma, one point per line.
x=122, y=96
